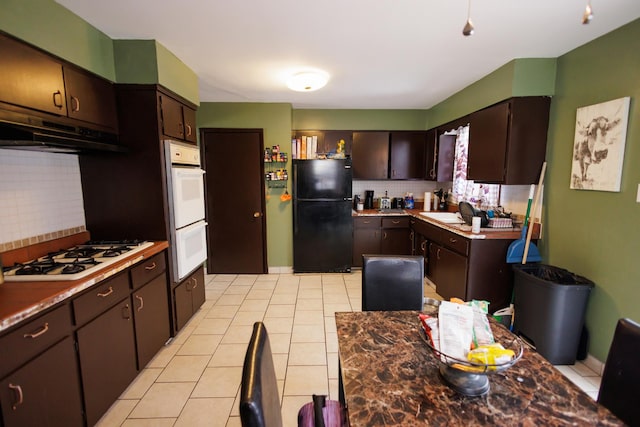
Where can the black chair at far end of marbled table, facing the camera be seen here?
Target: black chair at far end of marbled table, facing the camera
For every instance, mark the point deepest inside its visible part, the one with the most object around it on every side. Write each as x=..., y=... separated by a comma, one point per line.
x=392, y=282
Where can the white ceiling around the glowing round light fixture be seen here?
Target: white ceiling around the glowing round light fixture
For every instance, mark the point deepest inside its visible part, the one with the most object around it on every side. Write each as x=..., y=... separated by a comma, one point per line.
x=387, y=54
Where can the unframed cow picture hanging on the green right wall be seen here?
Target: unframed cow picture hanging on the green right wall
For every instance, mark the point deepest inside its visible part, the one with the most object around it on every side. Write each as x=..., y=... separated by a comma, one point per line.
x=598, y=147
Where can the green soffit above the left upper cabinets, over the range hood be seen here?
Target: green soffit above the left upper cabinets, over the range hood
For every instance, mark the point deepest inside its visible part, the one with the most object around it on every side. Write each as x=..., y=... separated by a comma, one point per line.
x=55, y=29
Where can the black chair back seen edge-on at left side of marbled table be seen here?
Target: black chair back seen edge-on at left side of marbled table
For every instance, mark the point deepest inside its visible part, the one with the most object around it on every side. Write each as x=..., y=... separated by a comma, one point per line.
x=259, y=401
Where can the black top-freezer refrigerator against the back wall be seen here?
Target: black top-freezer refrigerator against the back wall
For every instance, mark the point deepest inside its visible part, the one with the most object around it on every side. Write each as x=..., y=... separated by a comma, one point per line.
x=322, y=223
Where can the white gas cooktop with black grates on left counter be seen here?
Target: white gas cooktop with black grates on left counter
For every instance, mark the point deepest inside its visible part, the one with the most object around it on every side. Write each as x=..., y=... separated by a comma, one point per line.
x=74, y=263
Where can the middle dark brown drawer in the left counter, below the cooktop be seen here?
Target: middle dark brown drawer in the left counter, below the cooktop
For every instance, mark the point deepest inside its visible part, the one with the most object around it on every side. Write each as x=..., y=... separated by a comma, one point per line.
x=100, y=297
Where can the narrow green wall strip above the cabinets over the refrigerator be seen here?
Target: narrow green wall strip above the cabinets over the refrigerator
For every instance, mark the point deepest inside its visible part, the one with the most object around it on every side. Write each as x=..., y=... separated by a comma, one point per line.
x=360, y=119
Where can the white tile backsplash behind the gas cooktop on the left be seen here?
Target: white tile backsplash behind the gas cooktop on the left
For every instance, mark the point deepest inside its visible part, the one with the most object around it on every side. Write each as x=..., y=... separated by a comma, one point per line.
x=40, y=197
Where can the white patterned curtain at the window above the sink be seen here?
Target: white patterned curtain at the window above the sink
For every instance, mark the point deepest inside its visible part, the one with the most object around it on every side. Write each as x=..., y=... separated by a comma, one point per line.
x=479, y=195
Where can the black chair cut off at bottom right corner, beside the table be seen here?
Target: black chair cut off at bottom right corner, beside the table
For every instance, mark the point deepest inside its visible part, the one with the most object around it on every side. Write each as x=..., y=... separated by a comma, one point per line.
x=621, y=377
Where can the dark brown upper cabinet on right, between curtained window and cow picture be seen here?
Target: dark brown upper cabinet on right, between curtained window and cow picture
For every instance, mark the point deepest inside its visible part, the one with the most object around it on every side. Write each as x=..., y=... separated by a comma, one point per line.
x=507, y=141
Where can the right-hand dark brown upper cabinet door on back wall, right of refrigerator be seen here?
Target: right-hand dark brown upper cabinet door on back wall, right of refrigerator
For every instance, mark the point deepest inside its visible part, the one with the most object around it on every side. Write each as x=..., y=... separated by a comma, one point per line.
x=407, y=155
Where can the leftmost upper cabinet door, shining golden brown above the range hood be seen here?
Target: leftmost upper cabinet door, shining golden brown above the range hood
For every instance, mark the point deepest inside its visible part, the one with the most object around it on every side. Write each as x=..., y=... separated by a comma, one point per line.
x=30, y=78
